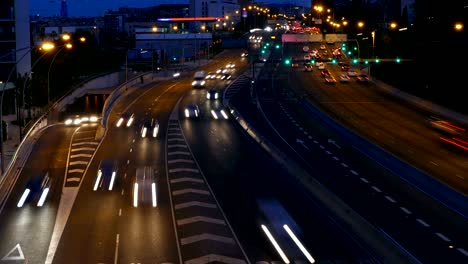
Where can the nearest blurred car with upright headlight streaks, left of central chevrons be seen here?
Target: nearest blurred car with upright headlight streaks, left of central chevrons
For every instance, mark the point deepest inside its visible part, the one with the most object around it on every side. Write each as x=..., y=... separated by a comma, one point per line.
x=144, y=187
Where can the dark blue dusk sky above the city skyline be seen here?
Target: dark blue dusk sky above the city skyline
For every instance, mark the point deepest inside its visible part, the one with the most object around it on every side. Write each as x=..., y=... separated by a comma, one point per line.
x=91, y=8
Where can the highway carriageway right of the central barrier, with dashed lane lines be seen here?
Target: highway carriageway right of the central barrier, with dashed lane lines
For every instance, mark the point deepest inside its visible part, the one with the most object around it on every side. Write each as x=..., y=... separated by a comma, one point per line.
x=428, y=229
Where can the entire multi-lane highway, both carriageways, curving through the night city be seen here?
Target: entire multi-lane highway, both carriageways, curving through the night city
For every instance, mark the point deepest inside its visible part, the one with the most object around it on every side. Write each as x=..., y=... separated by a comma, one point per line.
x=203, y=191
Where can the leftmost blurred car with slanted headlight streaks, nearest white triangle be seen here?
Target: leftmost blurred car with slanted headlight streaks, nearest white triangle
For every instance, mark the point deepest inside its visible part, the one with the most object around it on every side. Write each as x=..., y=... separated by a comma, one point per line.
x=36, y=190
